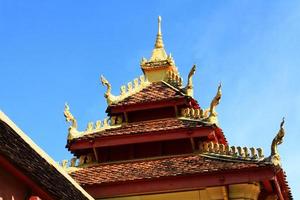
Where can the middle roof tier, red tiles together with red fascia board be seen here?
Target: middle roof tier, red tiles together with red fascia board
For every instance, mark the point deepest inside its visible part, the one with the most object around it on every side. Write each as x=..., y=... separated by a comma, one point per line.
x=138, y=132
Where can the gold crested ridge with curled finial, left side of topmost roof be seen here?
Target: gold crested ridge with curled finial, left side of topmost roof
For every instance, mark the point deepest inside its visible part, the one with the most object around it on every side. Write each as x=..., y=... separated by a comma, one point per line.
x=126, y=90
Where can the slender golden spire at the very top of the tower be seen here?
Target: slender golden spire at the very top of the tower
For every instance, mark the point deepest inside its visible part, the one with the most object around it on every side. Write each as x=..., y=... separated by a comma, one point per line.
x=158, y=53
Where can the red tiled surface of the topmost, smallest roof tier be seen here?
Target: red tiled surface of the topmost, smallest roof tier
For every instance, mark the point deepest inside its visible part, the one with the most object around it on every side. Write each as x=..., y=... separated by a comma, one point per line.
x=156, y=91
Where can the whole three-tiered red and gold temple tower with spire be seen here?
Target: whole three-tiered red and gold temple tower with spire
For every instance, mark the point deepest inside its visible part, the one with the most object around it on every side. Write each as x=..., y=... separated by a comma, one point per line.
x=158, y=143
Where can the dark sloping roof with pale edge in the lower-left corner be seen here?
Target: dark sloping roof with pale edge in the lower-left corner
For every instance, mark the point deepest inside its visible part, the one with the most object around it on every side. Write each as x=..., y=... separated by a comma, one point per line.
x=21, y=152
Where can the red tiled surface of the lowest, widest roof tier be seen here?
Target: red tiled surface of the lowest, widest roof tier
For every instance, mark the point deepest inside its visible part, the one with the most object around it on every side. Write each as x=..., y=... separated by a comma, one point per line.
x=153, y=169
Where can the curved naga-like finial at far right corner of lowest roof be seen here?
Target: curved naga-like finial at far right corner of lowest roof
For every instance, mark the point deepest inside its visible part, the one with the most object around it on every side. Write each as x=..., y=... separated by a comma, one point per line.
x=274, y=157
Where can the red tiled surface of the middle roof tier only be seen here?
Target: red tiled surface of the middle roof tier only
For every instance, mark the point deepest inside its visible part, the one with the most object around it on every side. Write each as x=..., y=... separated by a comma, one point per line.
x=146, y=127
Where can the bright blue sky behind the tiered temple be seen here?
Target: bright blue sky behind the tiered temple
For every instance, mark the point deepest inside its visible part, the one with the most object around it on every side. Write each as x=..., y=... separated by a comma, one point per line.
x=54, y=51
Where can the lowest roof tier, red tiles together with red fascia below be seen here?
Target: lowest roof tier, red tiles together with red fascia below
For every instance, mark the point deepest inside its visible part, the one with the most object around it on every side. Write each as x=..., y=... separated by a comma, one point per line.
x=165, y=174
